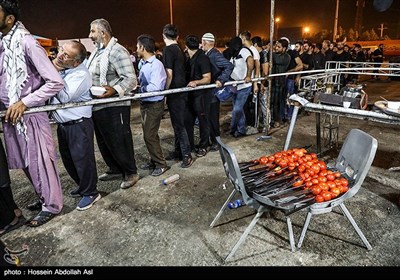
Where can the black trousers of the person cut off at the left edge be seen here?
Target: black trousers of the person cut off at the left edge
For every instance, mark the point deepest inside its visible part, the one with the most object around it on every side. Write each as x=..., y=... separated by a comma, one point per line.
x=7, y=204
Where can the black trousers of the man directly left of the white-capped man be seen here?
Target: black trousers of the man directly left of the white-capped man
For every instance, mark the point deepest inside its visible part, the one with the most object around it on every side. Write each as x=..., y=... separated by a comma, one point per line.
x=199, y=107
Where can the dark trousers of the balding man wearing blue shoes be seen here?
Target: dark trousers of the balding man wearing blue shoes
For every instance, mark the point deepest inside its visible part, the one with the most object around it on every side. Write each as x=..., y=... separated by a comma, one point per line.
x=76, y=148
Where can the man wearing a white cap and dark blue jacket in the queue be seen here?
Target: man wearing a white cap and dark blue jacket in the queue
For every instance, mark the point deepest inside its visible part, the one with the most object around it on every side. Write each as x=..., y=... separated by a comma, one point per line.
x=221, y=69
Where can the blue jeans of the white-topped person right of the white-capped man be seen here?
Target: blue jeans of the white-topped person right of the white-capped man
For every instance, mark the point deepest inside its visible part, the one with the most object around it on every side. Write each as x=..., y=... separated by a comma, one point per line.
x=238, y=122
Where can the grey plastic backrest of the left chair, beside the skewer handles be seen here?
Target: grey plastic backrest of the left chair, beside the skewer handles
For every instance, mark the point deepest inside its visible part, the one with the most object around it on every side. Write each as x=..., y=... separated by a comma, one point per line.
x=233, y=173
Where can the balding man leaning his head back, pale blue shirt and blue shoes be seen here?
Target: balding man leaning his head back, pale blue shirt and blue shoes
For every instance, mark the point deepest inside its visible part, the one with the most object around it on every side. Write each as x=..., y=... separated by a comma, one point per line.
x=75, y=129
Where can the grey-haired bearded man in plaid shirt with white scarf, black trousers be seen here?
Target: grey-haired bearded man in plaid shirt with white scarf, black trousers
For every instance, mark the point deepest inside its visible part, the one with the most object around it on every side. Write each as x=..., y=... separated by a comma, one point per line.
x=111, y=67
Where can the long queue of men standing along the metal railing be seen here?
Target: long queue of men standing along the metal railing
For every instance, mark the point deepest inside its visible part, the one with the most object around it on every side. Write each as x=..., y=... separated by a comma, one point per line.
x=28, y=78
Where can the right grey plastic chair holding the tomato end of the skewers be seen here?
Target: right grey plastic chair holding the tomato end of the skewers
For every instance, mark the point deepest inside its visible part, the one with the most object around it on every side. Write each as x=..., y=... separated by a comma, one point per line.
x=354, y=161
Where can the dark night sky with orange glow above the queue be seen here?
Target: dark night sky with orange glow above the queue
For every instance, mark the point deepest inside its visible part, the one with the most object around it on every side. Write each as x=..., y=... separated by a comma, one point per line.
x=63, y=19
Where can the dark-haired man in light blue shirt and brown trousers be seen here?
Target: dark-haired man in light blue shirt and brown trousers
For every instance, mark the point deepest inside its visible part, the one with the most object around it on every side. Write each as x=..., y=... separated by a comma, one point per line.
x=152, y=77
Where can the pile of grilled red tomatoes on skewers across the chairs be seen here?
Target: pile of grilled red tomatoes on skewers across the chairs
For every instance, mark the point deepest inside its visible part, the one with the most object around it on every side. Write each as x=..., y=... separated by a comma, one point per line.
x=312, y=173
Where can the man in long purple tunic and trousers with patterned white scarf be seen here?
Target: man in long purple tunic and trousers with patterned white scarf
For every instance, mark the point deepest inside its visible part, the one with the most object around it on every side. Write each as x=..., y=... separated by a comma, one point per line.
x=28, y=79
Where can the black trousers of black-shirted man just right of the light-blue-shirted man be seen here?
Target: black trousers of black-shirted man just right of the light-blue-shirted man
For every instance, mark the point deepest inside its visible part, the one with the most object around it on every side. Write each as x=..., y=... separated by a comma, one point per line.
x=177, y=106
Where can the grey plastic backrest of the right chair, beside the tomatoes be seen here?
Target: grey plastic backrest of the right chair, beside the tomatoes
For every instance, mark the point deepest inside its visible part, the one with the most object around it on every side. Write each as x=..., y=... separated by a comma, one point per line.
x=355, y=158
